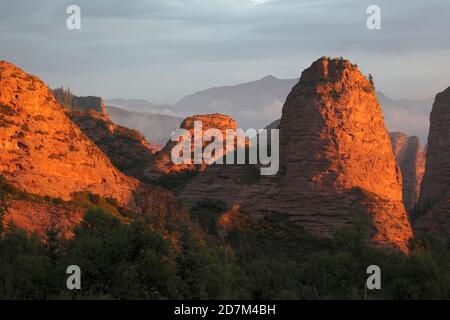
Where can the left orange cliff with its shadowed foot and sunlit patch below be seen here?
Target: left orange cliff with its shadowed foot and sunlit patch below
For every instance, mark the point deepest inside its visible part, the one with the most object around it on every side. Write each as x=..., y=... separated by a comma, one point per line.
x=43, y=152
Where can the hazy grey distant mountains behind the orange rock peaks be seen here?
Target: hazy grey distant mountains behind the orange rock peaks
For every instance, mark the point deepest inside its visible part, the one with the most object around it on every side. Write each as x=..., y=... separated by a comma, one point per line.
x=252, y=104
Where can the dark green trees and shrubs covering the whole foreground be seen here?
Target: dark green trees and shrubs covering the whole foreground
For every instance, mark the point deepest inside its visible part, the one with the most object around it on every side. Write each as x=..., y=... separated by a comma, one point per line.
x=269, y=259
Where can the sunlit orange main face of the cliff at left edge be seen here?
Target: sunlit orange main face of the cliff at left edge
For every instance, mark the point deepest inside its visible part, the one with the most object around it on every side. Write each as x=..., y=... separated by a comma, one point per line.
x=42, y=151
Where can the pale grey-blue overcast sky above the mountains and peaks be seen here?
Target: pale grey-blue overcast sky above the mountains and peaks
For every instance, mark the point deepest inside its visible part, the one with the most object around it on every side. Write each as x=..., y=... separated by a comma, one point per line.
x=162, y=50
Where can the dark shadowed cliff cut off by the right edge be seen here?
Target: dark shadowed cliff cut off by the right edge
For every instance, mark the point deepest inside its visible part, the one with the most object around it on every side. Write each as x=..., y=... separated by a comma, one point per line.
x=435, y=191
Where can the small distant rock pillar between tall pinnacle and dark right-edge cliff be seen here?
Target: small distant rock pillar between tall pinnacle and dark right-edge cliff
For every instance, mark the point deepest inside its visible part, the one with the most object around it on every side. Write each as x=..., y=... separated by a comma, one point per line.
x=410, y=158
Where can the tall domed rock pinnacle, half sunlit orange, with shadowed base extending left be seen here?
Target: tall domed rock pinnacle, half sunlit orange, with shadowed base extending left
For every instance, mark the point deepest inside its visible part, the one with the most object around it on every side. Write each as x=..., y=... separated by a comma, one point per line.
x=337, y=164
